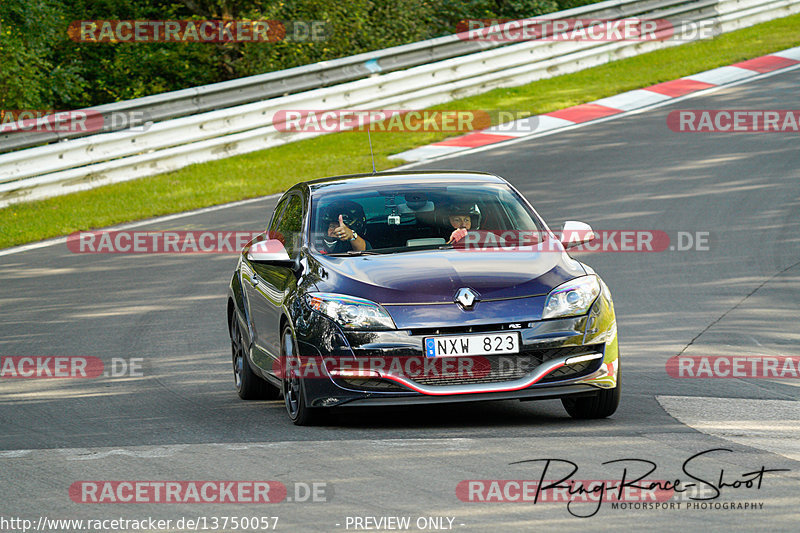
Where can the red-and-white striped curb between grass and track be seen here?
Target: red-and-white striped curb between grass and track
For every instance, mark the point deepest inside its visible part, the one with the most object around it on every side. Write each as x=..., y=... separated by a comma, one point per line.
x=606, y=107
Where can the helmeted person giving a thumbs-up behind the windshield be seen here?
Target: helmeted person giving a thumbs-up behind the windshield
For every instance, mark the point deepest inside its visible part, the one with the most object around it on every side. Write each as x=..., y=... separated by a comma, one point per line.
x=345, y=224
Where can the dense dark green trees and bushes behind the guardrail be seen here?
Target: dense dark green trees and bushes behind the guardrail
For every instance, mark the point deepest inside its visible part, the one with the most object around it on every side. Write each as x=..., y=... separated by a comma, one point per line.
x=43, y=68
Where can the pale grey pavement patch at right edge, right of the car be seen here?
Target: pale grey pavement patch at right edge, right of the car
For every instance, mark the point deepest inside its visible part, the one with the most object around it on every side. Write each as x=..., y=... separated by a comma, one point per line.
x=771, y=425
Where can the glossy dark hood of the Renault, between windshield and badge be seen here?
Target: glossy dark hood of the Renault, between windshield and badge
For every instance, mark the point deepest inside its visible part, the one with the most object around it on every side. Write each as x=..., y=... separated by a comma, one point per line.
x=435, y=276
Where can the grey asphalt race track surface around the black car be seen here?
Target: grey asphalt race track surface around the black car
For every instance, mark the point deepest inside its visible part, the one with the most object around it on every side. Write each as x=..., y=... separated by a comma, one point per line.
x=181, y=419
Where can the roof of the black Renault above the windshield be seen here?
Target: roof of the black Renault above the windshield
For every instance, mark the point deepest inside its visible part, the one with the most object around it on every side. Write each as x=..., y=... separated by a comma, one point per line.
x=405, y=177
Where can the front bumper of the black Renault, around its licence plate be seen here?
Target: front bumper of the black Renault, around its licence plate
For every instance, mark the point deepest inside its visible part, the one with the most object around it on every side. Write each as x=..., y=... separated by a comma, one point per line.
x=558, y=357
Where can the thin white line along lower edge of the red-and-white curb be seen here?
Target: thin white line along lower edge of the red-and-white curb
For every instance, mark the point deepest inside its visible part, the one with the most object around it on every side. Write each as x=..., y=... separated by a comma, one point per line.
x=671, y=101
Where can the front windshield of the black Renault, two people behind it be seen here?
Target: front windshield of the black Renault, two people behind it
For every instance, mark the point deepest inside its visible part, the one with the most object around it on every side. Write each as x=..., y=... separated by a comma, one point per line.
x=421, y=217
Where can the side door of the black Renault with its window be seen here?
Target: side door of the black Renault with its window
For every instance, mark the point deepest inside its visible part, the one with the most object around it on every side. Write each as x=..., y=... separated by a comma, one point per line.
x=269, y=285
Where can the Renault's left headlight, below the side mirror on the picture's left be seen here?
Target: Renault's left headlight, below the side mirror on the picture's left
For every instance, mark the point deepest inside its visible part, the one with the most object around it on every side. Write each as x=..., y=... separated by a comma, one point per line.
x=350, y=312
